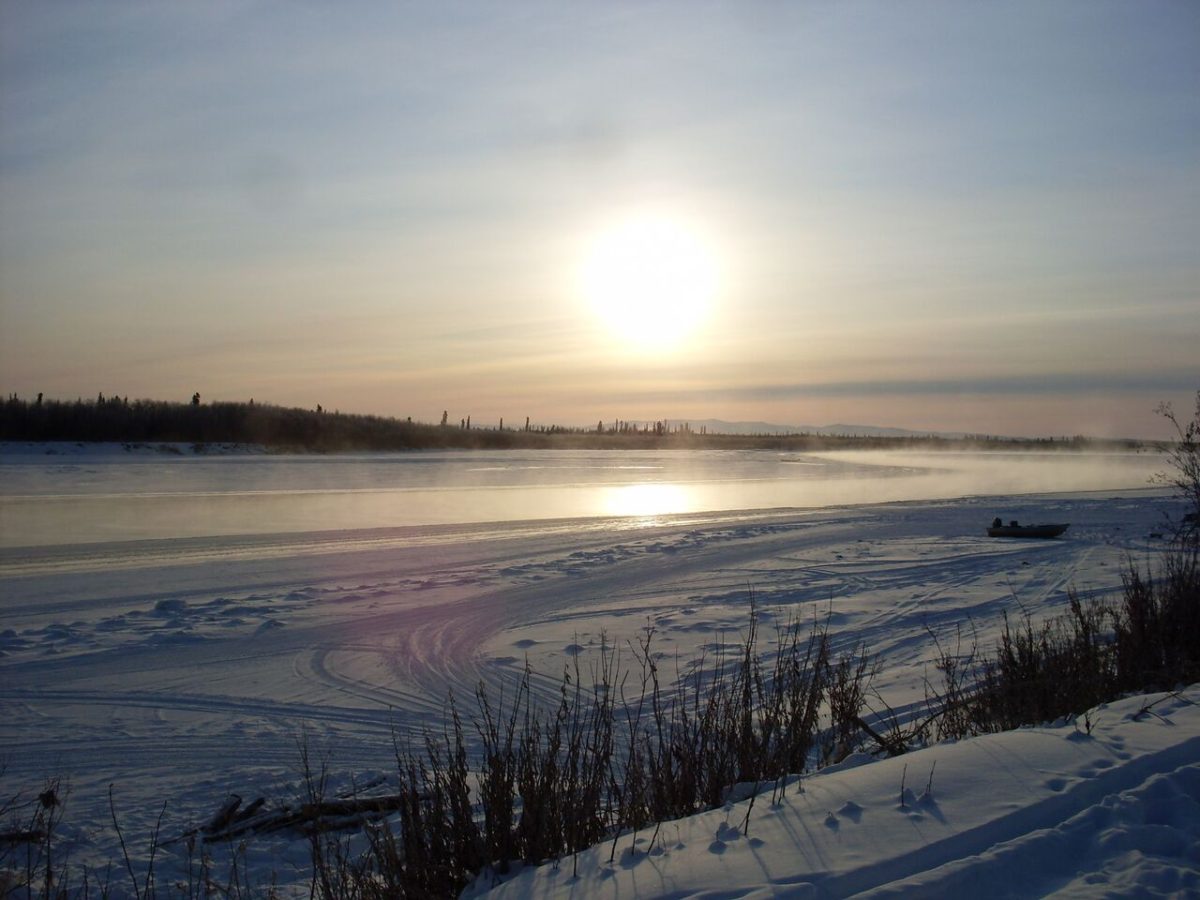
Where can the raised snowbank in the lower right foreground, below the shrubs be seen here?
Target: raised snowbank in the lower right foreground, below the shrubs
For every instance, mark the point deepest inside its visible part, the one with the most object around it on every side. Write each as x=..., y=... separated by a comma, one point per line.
x=1043, y=812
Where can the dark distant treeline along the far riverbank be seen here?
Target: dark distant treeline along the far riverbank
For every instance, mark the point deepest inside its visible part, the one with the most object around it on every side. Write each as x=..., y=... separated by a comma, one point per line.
x=284, y=429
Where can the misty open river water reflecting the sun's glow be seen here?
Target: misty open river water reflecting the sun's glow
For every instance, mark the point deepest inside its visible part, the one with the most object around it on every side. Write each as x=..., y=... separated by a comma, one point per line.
x=97, y=497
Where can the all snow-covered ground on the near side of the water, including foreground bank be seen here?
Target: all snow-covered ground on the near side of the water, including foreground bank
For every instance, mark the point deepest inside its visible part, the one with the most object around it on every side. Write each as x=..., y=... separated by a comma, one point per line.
x=182, y=671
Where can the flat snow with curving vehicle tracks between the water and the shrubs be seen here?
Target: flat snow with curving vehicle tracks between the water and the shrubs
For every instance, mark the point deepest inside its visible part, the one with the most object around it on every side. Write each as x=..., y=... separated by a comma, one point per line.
x=371, y=638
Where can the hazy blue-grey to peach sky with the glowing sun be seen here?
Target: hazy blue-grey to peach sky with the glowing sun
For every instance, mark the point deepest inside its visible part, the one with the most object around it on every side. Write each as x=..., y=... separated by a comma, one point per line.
x=946, y=217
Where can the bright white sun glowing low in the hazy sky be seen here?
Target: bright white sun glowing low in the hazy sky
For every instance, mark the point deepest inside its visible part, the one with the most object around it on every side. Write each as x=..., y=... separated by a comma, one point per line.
x=652, y=279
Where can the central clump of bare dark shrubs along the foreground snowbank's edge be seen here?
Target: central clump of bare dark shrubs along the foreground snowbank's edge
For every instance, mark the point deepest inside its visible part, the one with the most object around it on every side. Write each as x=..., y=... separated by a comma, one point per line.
x=617, y=752
